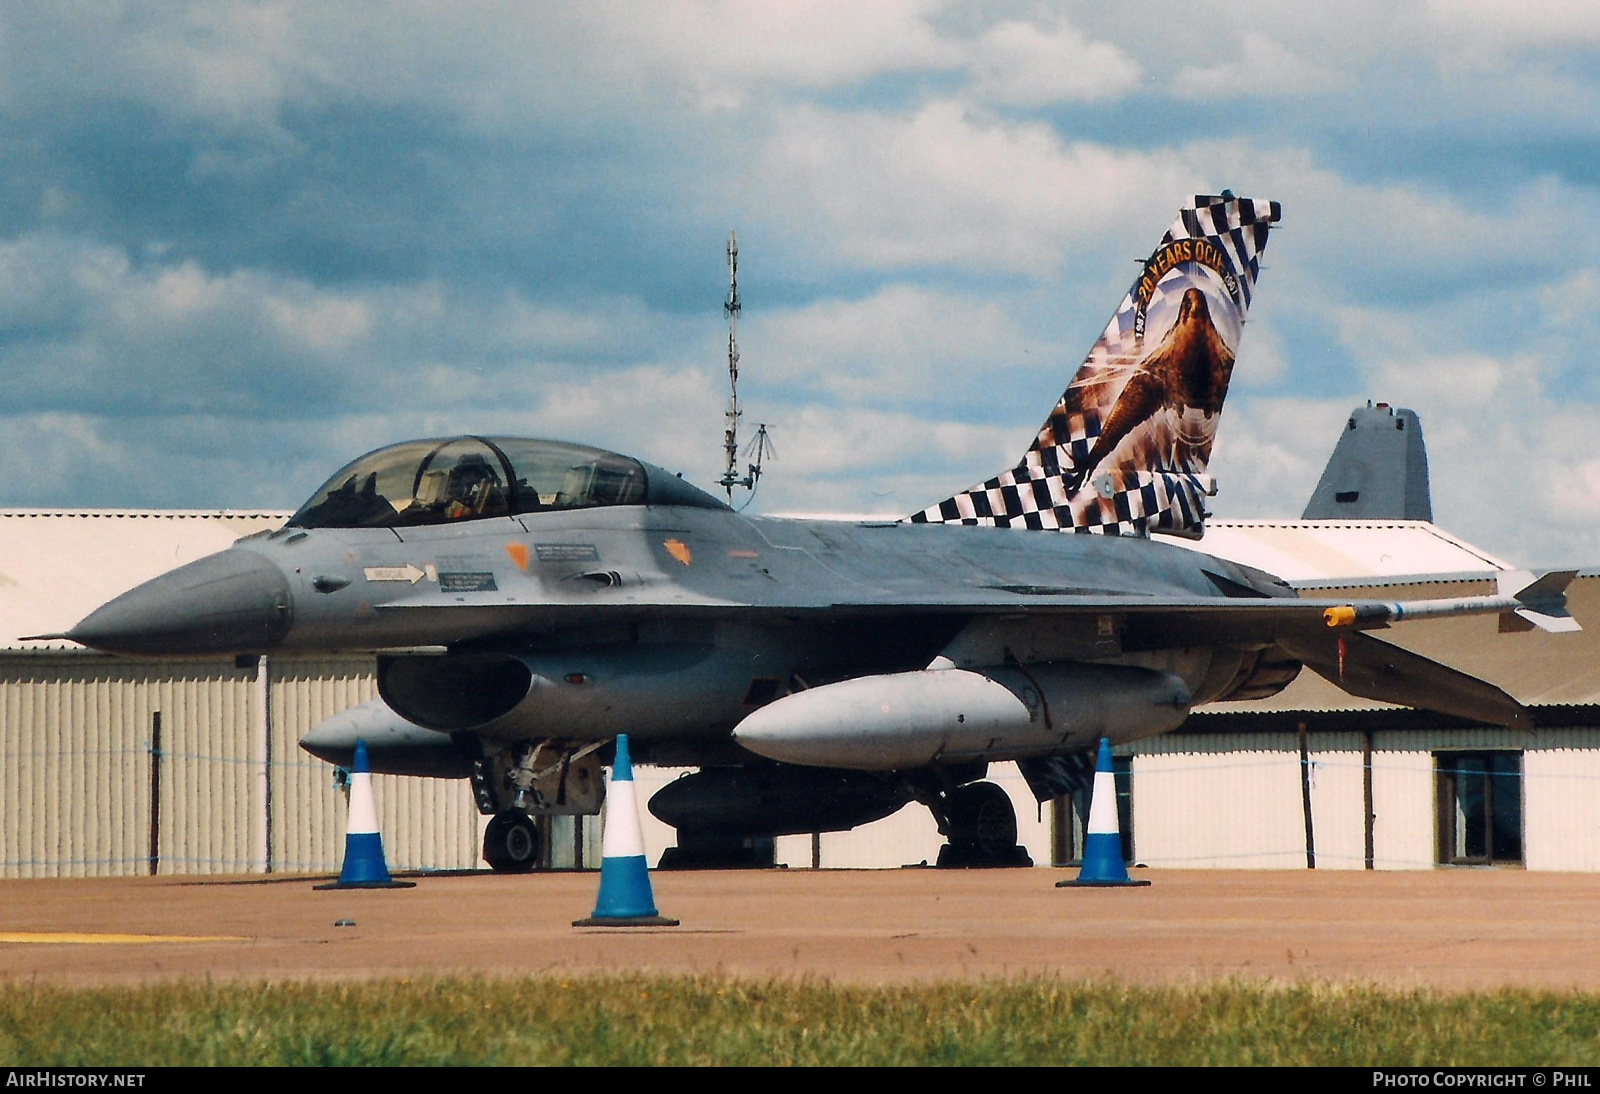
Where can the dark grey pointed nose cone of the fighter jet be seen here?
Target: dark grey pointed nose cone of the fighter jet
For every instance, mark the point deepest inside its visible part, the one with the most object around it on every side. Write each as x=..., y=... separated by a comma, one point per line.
x=230, y=604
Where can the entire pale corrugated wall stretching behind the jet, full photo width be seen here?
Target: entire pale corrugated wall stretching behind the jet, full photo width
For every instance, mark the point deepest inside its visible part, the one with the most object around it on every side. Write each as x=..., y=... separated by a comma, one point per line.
x=76, y=786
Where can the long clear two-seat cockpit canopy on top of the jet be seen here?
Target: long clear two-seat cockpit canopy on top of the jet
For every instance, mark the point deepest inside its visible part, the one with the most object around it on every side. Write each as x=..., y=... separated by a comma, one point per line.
x=439, y=482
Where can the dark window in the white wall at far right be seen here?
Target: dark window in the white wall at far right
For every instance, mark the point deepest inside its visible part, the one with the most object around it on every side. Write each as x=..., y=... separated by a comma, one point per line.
x=1479, y=807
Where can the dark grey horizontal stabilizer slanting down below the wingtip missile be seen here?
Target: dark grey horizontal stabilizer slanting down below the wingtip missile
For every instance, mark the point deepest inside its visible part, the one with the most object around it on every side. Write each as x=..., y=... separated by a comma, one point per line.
x=1374, y=669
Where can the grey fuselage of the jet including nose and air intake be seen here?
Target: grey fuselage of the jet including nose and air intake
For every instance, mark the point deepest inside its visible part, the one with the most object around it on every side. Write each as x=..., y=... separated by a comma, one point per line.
x=666, y=623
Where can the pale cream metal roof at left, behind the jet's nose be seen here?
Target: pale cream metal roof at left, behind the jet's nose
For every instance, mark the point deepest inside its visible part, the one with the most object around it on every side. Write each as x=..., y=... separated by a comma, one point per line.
x=58, y=565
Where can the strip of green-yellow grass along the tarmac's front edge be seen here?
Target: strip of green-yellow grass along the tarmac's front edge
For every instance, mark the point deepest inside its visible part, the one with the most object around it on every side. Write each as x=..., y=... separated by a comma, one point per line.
x=726, y=1021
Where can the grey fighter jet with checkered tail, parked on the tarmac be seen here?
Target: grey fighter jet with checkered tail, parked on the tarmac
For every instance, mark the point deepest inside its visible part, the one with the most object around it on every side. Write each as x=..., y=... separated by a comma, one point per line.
x=529, y=601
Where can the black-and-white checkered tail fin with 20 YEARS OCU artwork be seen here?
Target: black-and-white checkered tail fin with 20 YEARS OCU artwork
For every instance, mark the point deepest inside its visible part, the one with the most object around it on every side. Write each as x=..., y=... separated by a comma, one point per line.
x=1126, y=450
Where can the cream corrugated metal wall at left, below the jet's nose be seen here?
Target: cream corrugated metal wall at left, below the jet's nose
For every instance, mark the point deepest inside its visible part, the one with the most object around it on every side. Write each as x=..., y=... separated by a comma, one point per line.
x=76, y=762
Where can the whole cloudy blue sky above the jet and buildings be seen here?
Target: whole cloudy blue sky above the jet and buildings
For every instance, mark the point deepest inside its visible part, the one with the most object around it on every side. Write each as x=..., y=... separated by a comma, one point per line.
x=242, y=244
